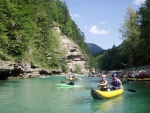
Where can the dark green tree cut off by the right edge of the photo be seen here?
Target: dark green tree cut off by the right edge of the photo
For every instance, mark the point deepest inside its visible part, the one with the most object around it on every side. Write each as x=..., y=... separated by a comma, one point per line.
x=144, y=45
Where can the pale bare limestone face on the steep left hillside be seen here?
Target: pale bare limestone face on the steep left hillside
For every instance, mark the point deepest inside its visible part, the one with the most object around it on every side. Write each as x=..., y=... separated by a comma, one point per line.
x=73, y=55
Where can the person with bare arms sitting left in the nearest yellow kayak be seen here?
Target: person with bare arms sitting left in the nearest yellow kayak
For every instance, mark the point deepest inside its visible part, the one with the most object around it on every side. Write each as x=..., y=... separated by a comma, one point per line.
x=103, y=83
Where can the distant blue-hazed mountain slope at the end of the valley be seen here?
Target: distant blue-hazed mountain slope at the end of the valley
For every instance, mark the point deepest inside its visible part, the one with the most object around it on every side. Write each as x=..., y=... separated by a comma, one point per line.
x=94, y=49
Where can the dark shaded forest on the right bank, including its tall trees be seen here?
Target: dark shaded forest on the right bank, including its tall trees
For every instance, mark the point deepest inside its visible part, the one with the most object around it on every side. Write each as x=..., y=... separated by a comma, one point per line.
x=135, y=48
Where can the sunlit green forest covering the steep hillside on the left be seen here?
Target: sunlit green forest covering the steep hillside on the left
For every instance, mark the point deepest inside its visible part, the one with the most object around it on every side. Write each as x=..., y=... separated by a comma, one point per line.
x=26, y=33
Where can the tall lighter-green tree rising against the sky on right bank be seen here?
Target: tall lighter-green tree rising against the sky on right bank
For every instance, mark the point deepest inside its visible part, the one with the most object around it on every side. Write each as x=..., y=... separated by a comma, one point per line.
x=130, y=33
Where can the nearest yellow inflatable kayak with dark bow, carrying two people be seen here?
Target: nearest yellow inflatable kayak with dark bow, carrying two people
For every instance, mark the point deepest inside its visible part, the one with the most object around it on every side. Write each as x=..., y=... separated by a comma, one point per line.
x=97, y=94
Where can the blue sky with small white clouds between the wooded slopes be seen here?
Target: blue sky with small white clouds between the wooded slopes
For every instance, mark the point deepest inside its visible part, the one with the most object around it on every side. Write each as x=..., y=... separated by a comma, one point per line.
x=100, y=20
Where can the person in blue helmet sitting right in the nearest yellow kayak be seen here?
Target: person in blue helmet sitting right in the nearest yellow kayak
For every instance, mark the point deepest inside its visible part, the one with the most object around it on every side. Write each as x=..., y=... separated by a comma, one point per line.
x=115, y=82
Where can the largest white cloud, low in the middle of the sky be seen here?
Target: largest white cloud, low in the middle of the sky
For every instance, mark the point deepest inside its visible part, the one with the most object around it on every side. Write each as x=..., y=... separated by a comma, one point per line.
x=94, y=30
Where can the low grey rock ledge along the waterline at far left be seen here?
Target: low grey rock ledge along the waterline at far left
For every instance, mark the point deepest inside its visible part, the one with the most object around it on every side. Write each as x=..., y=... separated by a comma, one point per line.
x=9, y=70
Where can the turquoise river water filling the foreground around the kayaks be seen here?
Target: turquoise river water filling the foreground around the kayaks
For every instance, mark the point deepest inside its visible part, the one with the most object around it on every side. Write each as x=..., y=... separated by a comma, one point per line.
x=41, y=95
